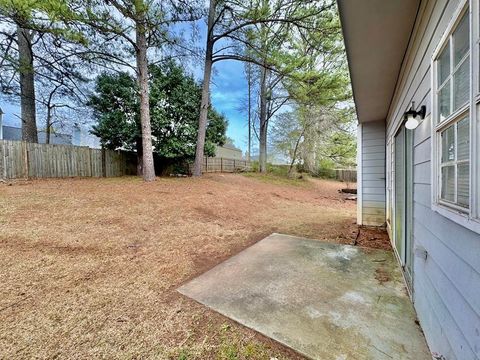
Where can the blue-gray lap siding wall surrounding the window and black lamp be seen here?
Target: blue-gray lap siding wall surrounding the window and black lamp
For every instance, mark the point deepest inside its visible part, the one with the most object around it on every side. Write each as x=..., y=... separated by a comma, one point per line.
x=446, y=285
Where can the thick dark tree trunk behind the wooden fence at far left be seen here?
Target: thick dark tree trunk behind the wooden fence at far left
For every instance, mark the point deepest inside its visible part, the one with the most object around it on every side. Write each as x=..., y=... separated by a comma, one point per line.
x=27, y=85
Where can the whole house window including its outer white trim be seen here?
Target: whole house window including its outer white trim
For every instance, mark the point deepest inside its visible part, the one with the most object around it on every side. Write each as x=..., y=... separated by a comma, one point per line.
x=456, y=119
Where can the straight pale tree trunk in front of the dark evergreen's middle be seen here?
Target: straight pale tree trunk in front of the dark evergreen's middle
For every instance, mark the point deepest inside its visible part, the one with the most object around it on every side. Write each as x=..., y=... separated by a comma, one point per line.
x=142, y=77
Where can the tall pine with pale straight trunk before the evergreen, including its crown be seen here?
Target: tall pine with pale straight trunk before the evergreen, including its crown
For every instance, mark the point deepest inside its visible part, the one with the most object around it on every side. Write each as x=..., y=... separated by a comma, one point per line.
x=133, y=28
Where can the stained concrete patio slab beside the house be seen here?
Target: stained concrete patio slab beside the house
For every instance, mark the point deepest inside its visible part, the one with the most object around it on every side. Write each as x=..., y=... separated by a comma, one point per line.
x=326, y=301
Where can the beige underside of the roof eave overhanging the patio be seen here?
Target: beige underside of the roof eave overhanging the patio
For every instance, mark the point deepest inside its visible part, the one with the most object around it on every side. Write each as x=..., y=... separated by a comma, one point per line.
x=377, y=34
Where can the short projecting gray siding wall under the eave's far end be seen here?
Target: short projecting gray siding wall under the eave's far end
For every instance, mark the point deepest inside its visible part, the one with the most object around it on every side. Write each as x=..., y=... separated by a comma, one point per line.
x=372, y=179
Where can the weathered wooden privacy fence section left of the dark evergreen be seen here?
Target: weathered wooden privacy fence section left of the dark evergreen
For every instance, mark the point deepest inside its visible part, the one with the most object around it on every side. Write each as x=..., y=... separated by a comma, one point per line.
x=20, y=160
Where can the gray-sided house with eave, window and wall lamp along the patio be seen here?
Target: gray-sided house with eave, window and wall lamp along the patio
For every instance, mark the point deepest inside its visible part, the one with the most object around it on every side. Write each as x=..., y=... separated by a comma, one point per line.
x=422, y=183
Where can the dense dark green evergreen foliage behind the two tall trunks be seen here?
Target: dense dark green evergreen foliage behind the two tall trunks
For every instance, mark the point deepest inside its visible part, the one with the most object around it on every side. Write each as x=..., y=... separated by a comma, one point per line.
x=174, y=98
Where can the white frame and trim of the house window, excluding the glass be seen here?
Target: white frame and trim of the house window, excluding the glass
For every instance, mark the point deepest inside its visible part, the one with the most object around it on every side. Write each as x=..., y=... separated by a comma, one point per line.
x=469, y=218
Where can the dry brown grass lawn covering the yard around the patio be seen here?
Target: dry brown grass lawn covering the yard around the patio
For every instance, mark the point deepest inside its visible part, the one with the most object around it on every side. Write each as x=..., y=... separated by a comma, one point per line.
x=89, y=267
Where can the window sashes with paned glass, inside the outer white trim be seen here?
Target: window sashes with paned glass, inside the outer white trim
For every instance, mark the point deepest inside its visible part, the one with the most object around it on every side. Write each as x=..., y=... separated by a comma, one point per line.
x=453, y=119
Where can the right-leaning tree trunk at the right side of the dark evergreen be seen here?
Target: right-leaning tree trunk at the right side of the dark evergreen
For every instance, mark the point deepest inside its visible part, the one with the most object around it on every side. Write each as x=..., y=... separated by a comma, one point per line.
x=202, y=121
